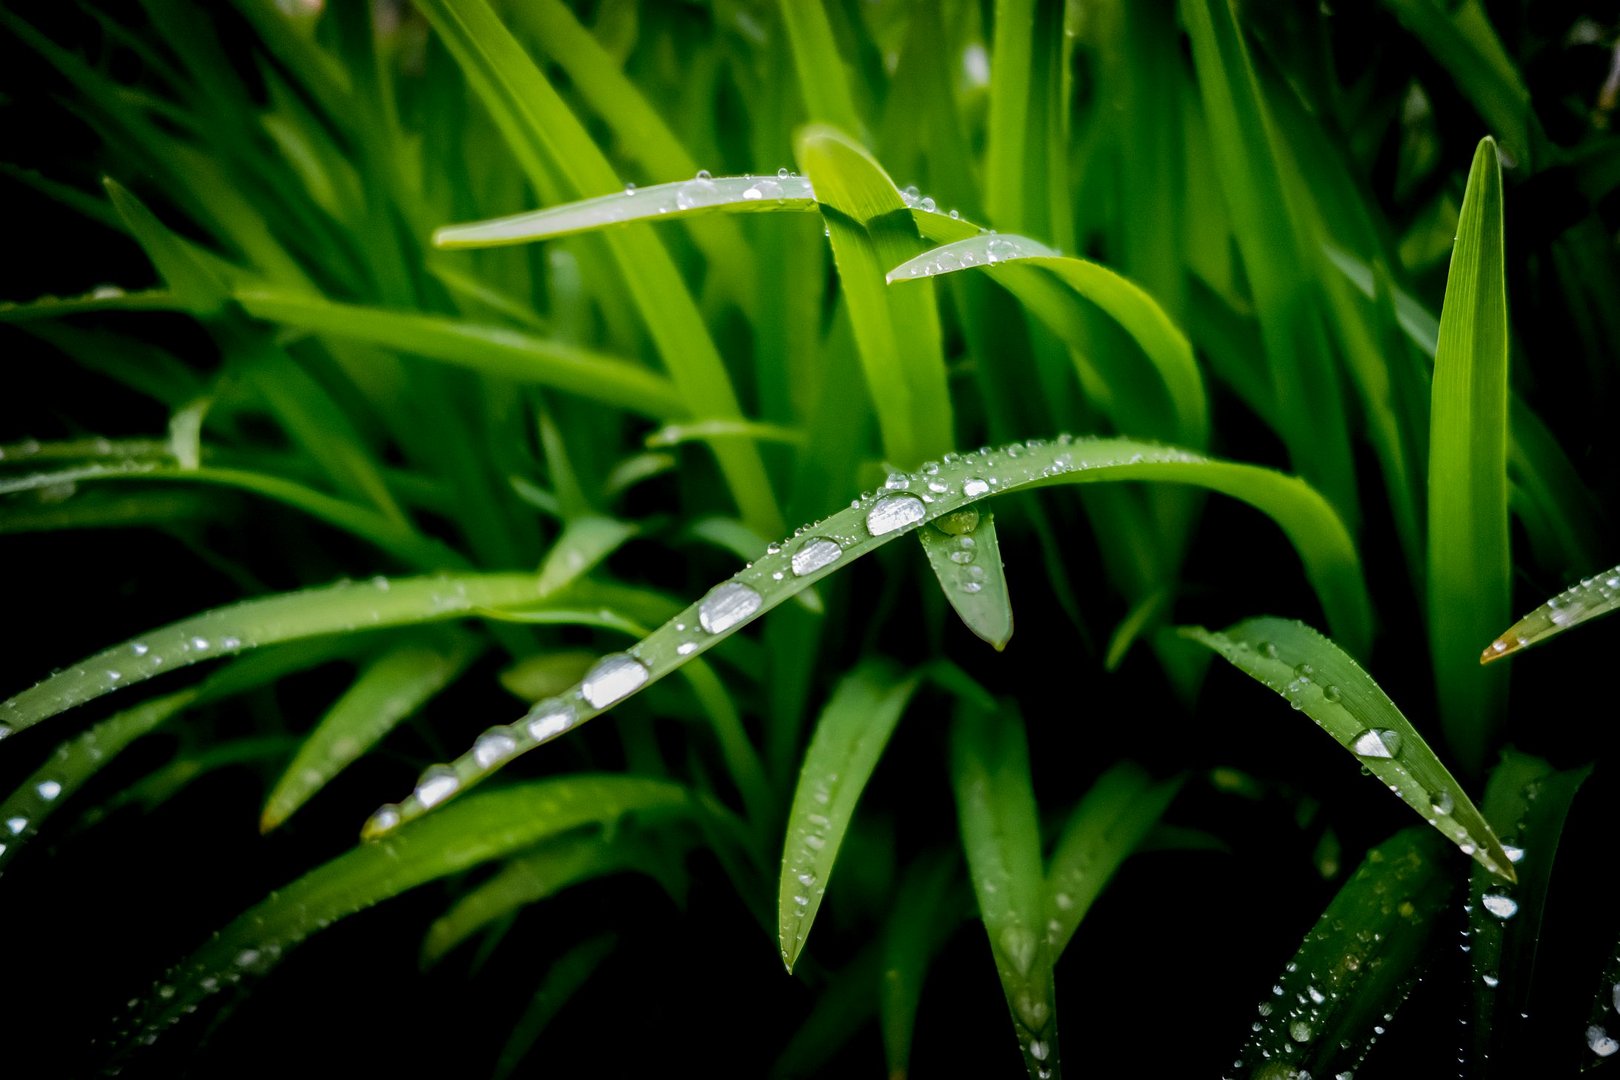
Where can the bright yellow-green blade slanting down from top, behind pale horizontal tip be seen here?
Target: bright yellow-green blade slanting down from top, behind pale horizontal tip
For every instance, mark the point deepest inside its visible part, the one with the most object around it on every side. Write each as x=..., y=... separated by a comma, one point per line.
x=555, y=151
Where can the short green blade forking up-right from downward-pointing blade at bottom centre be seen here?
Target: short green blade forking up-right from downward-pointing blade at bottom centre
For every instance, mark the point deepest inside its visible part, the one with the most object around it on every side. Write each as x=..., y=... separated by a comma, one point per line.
x=1109, y=823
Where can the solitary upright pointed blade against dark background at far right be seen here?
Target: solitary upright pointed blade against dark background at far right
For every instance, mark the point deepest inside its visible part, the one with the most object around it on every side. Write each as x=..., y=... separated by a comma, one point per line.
x=1470, y=571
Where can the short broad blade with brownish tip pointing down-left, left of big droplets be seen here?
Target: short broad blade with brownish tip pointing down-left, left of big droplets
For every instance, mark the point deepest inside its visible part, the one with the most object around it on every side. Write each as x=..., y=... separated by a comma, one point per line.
x=388, y=691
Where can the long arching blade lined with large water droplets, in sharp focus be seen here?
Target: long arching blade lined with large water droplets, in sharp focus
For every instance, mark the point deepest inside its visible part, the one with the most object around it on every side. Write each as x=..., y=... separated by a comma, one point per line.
x=880, y=517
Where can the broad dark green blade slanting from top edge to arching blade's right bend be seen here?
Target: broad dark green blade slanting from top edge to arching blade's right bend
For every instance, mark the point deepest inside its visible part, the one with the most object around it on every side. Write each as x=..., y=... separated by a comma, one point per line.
x=1303, y=378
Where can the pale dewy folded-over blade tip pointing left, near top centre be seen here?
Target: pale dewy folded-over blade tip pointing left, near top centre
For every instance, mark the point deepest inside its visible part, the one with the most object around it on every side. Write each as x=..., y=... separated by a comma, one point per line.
x=701, y=197
